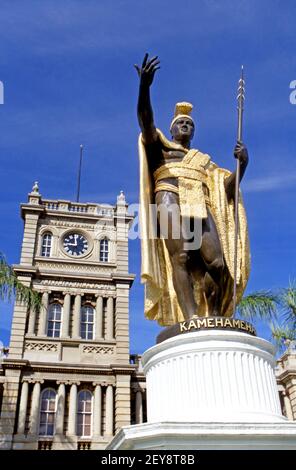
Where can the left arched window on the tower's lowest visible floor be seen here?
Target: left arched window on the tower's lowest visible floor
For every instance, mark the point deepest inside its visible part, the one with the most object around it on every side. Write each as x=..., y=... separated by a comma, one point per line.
x=47, y=412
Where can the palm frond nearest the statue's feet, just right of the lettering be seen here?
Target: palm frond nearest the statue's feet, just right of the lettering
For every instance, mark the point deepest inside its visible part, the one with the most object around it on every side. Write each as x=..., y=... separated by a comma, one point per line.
x=260, y=304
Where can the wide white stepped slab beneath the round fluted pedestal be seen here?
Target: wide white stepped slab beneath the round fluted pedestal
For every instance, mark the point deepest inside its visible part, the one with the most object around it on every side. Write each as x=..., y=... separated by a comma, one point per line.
x=206, y=436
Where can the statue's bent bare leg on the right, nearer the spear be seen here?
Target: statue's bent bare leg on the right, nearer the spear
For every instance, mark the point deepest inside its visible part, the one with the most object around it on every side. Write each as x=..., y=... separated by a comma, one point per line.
x=211, y=252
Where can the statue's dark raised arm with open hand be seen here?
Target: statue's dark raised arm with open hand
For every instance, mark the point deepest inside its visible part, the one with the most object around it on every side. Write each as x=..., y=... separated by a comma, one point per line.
x=145, y=114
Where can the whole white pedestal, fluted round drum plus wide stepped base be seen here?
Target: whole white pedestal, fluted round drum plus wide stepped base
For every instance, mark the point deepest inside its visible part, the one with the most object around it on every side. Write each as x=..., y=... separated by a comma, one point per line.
x=210, y=390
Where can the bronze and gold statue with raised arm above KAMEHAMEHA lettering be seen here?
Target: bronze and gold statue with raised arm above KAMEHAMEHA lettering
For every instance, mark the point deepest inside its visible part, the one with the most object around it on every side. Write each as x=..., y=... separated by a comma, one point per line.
x=184, y=280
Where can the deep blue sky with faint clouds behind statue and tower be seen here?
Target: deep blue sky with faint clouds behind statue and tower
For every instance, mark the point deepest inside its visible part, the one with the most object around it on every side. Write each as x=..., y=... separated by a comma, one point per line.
x=67, y=69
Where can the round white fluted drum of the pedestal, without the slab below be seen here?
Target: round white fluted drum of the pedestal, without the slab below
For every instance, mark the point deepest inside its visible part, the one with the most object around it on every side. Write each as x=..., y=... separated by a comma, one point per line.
x=211, y=376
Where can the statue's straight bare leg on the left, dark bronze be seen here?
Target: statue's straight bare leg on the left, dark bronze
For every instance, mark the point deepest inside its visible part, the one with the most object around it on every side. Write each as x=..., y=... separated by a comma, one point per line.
x=182, y=280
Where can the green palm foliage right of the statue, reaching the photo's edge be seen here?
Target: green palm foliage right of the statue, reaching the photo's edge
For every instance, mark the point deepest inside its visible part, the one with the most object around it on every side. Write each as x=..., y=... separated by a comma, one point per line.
x=278, y=309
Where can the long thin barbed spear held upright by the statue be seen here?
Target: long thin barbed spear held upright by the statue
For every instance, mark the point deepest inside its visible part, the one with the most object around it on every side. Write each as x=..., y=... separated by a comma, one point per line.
x=240, y=110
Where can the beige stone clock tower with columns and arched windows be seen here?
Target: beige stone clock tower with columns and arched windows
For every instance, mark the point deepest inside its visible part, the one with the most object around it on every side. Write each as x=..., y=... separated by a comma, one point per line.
x=68, y=373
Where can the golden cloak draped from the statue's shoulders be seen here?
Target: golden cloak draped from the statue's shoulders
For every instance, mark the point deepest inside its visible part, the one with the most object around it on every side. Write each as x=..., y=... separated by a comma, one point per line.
x=161, y=302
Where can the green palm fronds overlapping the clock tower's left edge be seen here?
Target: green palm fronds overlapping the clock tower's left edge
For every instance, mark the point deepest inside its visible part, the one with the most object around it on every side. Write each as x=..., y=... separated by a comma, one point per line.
x=11, y=287
